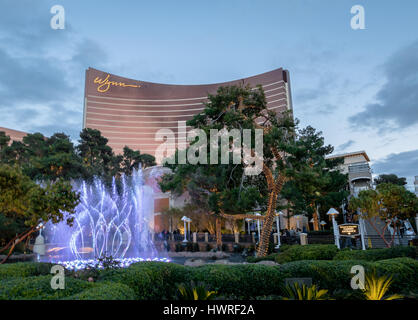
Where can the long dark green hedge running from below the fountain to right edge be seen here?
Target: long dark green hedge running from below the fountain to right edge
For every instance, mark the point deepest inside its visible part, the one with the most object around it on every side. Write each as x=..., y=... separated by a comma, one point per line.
x=159, y=281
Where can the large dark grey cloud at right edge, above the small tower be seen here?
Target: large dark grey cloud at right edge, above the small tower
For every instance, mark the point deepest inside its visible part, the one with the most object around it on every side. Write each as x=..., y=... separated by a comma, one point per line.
x=397, y=100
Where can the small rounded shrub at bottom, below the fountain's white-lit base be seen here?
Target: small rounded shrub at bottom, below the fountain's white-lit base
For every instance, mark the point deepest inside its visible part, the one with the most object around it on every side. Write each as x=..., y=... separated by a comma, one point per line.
x=105, y=291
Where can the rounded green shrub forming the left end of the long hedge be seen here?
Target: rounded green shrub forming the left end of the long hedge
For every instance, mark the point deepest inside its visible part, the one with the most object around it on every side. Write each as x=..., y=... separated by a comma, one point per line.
x=149, y=280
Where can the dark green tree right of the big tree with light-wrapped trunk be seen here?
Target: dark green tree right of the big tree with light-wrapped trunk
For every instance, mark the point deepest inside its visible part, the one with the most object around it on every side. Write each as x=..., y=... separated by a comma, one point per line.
x=313, y=180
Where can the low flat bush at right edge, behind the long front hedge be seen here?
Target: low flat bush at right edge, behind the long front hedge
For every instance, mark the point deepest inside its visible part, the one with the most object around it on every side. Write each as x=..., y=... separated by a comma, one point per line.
x=377, y=254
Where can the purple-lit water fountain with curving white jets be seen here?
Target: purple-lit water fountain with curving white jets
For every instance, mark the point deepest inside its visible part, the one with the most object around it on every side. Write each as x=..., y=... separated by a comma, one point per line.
x=109, y=222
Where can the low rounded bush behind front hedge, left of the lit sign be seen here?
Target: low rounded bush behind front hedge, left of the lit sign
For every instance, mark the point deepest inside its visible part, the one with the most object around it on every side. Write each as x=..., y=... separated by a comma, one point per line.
x=307, y=252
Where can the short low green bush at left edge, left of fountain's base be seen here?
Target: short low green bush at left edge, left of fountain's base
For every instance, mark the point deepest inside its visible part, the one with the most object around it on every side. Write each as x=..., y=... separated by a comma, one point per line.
x=24, y=269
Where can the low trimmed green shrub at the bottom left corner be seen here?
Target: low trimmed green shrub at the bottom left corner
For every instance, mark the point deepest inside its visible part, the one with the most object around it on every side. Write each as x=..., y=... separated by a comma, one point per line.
x=39, y=288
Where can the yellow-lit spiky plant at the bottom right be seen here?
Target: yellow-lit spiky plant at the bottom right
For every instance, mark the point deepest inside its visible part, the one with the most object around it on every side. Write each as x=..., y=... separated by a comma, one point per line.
x=377, y=287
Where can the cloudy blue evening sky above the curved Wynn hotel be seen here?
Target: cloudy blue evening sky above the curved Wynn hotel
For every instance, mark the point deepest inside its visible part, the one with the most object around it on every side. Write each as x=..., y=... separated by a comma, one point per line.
x=360, y=87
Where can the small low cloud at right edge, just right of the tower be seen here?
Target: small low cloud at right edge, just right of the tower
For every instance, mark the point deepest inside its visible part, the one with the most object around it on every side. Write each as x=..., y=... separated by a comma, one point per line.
x=404, y=164
